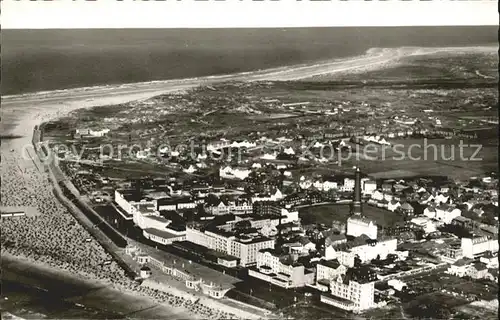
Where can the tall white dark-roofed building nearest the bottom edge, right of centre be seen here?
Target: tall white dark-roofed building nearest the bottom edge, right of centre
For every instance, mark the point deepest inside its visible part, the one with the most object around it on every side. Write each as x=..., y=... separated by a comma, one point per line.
x=352, y=291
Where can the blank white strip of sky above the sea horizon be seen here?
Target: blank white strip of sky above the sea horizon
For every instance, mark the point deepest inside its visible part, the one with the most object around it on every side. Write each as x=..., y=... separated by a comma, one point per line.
x=26, y=14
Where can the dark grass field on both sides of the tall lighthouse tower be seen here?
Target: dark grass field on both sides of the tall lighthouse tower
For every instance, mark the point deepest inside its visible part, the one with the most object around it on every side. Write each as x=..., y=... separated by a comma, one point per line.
x=326, y=214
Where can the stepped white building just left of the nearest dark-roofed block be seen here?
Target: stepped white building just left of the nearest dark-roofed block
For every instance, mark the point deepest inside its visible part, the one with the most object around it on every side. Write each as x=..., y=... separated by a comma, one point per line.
x=281, y=270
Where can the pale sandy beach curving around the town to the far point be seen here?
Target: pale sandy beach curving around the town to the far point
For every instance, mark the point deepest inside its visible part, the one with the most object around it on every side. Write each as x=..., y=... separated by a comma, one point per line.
x=54, y=239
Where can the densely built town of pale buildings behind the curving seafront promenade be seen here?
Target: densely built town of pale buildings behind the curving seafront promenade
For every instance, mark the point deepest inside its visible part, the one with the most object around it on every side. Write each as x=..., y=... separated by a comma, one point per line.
x=252, y=219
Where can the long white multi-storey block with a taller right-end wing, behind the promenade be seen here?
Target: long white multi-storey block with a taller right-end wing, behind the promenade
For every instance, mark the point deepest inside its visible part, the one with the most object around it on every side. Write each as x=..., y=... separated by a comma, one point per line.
x=242, y=246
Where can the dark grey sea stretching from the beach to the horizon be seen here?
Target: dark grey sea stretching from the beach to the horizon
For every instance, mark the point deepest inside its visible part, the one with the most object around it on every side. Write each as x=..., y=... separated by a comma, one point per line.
x=56, y=59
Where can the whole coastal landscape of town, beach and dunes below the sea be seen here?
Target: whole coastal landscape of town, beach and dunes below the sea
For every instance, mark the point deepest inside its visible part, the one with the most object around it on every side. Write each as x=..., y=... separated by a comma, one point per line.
x=362, y=187
